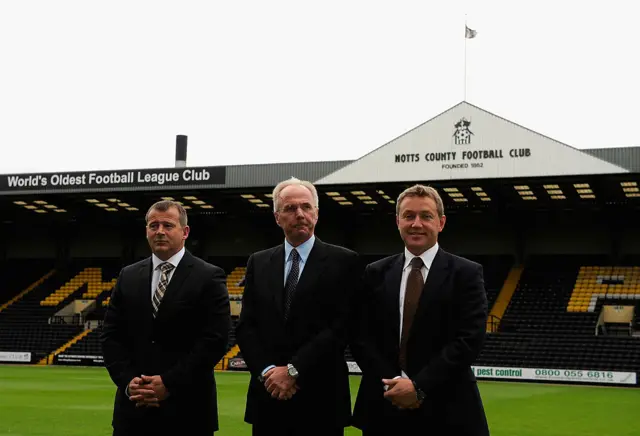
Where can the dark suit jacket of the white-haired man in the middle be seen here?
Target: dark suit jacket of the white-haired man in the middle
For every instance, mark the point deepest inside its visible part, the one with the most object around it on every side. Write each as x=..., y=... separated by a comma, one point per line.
x=313, y=339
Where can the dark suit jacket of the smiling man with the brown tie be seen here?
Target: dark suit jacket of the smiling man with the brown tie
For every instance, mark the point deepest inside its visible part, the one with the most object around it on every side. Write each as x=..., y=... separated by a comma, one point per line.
x=446, y=337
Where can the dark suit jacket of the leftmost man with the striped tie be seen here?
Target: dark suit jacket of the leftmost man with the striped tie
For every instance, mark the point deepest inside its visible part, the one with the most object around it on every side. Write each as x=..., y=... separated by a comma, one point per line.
x=182, y=344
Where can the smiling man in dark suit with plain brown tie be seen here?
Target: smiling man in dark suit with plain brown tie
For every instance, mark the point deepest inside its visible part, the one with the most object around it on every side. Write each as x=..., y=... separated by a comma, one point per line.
x=420, y=325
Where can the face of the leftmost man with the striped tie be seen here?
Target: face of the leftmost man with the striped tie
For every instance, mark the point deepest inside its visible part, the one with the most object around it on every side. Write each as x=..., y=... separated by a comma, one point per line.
x=165, y=234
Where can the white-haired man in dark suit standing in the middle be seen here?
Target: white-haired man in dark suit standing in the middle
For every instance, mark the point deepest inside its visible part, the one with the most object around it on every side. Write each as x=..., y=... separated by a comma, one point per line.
x=292, y=329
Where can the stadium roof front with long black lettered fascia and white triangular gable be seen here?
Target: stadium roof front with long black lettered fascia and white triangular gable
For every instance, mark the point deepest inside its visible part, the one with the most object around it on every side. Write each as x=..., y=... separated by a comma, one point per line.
x=464, y=143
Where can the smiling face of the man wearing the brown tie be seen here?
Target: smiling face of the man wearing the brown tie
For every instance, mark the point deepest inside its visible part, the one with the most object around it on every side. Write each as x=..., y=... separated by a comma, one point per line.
x=419, y=223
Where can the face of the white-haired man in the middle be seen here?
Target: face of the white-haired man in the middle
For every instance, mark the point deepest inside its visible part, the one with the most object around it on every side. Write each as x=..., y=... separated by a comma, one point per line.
x=297, y=214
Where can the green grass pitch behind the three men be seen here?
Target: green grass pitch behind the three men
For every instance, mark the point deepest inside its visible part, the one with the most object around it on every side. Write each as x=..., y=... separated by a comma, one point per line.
x=70, y=401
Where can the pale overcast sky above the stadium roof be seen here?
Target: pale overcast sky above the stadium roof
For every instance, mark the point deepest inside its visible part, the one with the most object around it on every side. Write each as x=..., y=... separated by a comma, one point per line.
x=90, y=85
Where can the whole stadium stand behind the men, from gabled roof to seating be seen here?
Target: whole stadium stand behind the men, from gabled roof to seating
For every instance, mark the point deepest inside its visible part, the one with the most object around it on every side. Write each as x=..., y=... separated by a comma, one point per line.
x=554, y=226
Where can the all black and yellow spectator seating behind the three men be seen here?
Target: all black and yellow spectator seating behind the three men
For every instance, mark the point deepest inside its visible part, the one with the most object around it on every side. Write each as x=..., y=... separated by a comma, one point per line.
x=543, y=326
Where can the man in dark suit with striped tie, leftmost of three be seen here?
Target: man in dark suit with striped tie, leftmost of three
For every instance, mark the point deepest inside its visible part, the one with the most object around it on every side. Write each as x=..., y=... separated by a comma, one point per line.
x=165, y=328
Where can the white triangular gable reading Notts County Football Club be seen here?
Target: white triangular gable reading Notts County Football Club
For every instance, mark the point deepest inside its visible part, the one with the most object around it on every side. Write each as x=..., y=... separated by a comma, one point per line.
x=467, y=142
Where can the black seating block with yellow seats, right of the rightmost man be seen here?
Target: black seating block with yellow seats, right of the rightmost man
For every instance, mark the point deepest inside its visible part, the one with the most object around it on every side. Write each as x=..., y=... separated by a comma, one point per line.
x=541, y=327
